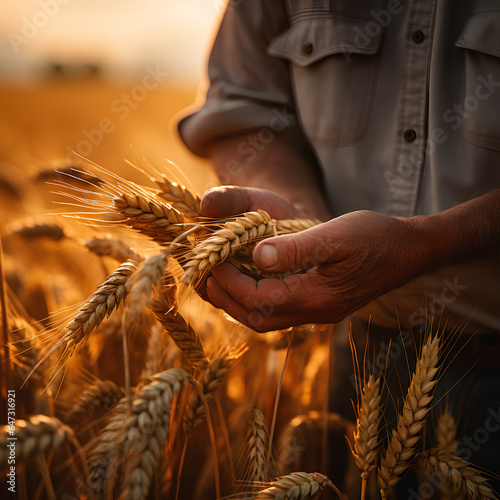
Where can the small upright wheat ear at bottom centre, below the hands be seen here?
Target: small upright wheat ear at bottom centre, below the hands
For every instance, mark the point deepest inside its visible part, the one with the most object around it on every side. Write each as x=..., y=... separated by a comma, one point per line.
x=257, y=444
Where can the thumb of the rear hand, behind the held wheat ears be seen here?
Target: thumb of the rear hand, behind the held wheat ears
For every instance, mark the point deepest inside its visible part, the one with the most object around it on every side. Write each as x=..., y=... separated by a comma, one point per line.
x=224, y=201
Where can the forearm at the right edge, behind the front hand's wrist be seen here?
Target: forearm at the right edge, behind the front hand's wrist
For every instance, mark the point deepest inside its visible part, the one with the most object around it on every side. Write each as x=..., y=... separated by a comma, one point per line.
x=464, y=233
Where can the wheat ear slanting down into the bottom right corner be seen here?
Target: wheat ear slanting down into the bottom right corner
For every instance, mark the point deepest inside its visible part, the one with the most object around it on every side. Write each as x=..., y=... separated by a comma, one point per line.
x=458, y=473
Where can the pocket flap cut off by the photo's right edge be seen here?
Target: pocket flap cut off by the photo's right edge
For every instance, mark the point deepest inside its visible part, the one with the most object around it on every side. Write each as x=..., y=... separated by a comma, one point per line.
x=482, y=33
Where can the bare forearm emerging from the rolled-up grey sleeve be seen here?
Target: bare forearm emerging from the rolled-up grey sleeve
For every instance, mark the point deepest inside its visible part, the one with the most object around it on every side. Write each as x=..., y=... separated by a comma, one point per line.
x=276, y=166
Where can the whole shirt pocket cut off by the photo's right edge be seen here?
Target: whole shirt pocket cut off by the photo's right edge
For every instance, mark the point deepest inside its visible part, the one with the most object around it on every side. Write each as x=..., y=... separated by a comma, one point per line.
x=481, y=106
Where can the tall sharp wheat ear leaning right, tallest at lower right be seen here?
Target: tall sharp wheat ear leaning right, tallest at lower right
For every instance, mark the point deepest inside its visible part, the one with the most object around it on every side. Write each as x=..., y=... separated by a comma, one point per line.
x=401, y=448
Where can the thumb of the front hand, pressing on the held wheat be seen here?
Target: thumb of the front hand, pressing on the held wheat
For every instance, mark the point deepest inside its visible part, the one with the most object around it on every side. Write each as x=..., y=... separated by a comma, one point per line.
x=292, y=252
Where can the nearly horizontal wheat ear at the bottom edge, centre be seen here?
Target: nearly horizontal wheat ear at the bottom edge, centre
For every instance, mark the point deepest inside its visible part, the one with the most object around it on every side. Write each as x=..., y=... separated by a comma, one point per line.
x=295, y=486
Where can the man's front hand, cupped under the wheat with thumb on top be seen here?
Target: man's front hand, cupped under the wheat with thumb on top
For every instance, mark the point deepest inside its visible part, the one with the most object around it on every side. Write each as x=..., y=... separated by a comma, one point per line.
x=349, y=260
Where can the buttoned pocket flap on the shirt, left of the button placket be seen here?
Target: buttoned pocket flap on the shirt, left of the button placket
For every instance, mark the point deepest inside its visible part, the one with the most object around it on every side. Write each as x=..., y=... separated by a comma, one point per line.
x=308, y=41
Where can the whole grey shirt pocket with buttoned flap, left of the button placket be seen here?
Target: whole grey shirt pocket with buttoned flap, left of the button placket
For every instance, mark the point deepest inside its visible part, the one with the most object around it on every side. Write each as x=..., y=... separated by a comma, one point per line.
x=333, y=72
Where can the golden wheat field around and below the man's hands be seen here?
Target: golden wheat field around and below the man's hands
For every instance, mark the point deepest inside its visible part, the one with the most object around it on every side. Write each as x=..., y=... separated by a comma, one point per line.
x=121, y=382
